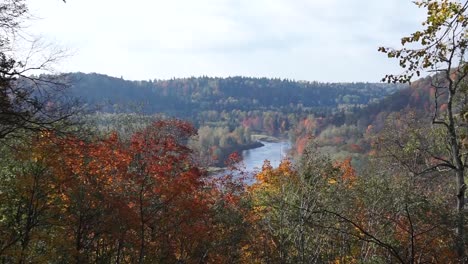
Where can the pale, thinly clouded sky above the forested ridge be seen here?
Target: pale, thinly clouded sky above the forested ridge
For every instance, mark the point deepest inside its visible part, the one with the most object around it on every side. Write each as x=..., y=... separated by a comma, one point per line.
x=312, y=40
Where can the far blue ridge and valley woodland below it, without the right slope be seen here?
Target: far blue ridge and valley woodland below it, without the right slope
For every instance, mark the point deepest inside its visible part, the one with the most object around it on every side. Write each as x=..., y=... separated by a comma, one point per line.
x=226, y=111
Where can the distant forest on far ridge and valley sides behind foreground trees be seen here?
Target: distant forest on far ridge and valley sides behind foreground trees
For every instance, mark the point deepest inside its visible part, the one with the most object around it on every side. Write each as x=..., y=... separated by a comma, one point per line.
x=228, y=111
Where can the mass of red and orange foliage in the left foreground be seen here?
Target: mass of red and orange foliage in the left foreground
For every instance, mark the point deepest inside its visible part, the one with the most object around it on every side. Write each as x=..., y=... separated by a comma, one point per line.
x=141, y=201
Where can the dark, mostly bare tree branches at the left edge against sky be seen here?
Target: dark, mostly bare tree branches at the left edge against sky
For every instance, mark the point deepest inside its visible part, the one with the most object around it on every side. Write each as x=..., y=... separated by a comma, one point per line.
x=27, y=102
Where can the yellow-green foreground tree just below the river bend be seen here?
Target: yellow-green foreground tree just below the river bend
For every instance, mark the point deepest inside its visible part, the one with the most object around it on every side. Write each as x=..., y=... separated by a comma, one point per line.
x=289, y=219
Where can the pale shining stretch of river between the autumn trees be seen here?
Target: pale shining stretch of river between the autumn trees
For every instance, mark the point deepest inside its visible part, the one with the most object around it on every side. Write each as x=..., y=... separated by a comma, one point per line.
x=274, y=152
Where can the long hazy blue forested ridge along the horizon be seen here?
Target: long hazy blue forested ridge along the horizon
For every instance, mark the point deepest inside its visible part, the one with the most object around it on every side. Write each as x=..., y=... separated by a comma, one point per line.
x=181, y=97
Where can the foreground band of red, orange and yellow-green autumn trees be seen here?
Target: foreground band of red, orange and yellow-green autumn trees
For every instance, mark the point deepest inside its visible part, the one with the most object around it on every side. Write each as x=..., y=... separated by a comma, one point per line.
x=146, y=200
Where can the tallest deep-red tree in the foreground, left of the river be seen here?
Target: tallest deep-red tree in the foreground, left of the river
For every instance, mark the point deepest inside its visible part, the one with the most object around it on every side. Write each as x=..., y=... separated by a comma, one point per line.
x=164, y=186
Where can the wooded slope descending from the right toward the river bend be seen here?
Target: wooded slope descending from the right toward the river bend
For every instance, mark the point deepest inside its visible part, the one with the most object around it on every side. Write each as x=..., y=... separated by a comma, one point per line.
x=349, y=132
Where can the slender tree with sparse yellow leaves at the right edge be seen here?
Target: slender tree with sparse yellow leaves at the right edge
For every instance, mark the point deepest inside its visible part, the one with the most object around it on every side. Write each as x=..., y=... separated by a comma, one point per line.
x=440, y=48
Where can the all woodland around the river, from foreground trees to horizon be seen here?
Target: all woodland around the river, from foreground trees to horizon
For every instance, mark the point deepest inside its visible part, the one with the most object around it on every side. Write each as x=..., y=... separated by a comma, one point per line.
x=377, y=172
